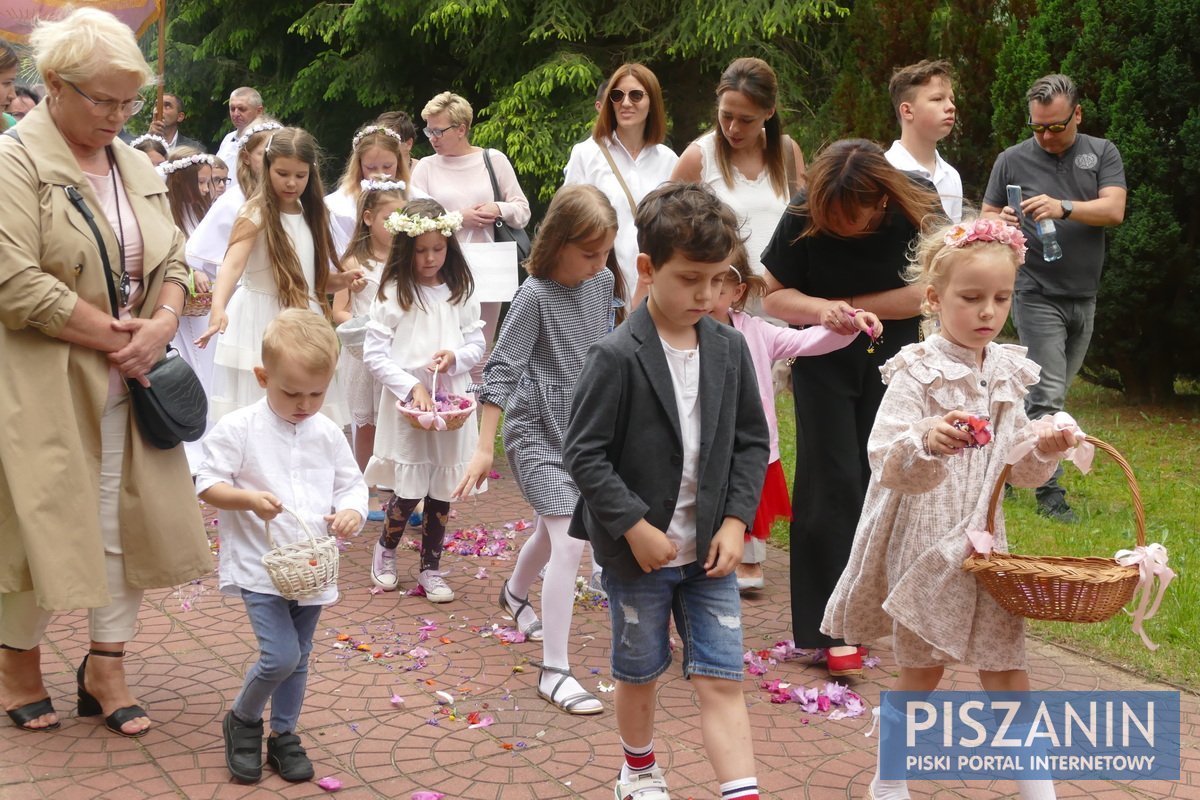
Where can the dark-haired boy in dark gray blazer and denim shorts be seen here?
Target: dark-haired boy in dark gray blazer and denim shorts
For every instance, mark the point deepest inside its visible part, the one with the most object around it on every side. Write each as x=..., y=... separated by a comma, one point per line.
x=669, y=447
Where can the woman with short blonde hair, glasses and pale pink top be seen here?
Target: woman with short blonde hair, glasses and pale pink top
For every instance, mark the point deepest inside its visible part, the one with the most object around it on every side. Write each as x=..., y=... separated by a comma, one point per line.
x=458, y=179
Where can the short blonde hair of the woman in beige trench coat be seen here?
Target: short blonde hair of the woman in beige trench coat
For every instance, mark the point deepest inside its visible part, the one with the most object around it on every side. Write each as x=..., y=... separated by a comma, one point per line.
x=86, y=44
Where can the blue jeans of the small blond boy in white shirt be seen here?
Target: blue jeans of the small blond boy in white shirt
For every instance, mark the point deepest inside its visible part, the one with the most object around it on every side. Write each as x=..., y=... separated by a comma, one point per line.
x=285, y=631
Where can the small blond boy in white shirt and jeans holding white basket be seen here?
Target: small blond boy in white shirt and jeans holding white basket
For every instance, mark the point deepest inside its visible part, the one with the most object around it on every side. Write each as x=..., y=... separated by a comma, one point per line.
x=279, y=454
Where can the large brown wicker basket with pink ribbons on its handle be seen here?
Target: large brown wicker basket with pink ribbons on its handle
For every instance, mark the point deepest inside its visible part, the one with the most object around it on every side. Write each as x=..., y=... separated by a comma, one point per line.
x=1060, y=588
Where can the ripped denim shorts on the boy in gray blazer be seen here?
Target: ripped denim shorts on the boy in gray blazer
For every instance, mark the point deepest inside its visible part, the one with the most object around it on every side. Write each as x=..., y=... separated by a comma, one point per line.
x=707, y=613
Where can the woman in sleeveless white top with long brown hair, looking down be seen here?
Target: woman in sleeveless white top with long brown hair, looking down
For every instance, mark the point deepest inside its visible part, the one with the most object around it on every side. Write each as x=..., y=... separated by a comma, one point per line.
x=747, y=159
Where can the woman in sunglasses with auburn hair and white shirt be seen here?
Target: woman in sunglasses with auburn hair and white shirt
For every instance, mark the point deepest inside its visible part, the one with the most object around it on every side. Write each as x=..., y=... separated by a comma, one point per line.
x=626, y=158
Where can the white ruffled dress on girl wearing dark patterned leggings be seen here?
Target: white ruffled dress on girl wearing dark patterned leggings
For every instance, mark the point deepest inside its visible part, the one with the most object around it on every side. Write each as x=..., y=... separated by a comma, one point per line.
x=412, y=462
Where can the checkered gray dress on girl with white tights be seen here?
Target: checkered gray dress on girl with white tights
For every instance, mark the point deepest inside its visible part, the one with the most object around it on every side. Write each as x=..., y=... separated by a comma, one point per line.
x=532, y=376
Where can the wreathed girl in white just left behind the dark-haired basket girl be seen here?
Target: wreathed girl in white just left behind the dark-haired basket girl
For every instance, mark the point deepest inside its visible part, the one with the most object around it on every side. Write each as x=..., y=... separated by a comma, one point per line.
x=368, y=252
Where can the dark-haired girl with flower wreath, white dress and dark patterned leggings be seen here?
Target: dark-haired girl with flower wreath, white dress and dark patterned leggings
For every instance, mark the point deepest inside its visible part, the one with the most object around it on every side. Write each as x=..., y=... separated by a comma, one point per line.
x=425, y=327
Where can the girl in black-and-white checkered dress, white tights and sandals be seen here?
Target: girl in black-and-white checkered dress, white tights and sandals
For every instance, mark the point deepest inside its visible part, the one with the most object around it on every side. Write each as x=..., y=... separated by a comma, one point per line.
x=567, y=305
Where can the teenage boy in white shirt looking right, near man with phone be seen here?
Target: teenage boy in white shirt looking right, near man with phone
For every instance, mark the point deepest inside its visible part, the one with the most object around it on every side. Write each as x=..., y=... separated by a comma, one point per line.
x=923, y=99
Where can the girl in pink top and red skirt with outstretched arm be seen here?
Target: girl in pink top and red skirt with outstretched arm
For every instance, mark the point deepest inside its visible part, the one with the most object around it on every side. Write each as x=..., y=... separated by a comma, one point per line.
x=769, y=344
